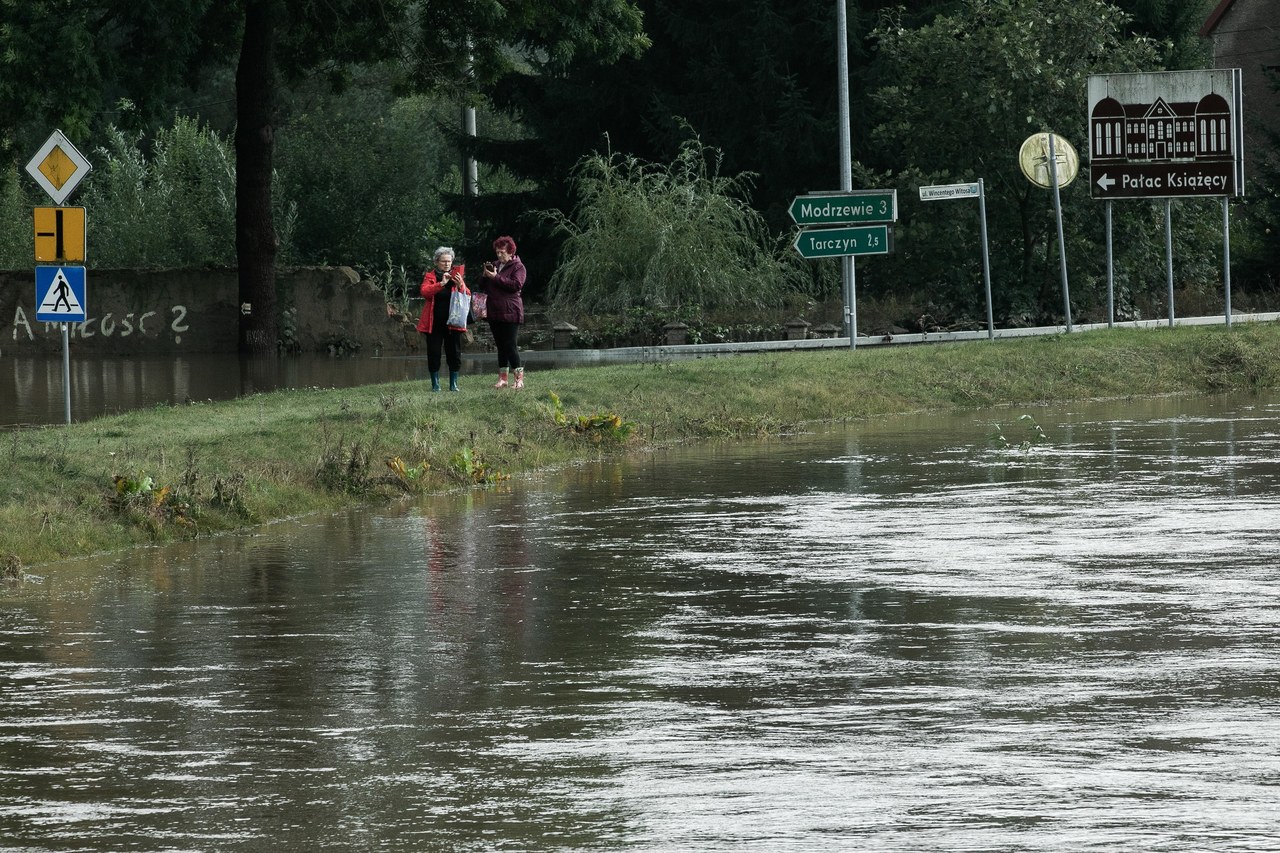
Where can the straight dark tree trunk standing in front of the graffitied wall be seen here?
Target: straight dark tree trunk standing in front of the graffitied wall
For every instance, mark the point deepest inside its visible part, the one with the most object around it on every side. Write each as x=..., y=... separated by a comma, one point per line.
x=255, y=144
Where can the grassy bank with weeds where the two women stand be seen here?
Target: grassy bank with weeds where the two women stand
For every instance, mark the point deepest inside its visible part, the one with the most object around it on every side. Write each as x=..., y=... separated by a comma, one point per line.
x=172, y=473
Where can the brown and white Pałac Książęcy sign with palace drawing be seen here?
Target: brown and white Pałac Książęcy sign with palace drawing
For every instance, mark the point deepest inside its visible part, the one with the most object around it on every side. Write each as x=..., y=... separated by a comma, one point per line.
x=1167, y=135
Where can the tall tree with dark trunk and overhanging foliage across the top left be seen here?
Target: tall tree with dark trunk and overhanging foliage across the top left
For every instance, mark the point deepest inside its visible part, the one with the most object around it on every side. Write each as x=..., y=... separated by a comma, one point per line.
x=65, y=63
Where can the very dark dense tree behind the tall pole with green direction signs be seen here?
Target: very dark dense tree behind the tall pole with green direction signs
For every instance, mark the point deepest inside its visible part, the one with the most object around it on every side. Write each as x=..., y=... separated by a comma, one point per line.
x=756, y=80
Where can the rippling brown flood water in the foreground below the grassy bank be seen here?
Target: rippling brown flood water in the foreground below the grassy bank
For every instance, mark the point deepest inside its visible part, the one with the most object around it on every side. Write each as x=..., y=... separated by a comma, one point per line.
x=893, y=637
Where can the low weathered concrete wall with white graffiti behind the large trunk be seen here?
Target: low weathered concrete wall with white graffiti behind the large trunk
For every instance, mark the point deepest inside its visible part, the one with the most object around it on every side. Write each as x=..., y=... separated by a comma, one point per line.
x=159, y=312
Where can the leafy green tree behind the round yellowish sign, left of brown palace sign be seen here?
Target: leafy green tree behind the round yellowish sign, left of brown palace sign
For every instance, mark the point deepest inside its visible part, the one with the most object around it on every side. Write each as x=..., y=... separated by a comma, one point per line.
x=957, y=99
